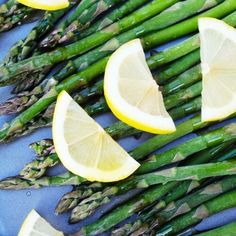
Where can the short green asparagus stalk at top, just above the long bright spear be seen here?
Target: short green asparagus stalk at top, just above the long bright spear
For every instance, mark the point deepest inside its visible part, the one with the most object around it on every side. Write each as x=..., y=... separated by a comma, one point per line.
x=118, y=13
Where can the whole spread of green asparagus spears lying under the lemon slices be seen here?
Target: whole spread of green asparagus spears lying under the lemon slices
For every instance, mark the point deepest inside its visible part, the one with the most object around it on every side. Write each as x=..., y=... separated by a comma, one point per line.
x=199, y=160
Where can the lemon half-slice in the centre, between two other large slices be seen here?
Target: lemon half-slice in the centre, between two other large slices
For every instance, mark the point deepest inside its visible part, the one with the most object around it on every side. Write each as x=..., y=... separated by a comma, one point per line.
x=131, y=92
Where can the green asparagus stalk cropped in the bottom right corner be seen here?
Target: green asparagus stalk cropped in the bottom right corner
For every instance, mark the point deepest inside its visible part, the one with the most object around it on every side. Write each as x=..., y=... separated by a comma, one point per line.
x=228, y=230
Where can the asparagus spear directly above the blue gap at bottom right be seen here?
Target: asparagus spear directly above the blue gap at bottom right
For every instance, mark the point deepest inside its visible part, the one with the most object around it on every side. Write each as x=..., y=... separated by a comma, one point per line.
x=211, y=207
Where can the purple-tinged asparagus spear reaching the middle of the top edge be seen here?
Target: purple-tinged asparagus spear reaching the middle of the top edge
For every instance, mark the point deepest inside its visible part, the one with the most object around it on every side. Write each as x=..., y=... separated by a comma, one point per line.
x=85, y=19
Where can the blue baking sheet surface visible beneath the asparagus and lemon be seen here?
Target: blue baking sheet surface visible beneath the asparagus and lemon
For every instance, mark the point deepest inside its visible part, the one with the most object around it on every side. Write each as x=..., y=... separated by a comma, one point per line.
x=15, y=205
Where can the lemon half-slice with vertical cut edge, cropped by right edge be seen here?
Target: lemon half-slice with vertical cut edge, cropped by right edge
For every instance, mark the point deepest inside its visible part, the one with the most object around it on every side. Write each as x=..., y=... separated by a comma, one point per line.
x=218, y=62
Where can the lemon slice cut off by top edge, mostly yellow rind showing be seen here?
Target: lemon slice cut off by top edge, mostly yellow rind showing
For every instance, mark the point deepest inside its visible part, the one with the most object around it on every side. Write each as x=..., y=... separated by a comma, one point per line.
x=50, y=5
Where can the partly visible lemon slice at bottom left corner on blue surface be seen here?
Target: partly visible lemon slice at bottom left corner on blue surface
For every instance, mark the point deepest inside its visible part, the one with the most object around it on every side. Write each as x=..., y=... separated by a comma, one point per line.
x=35, y=225
